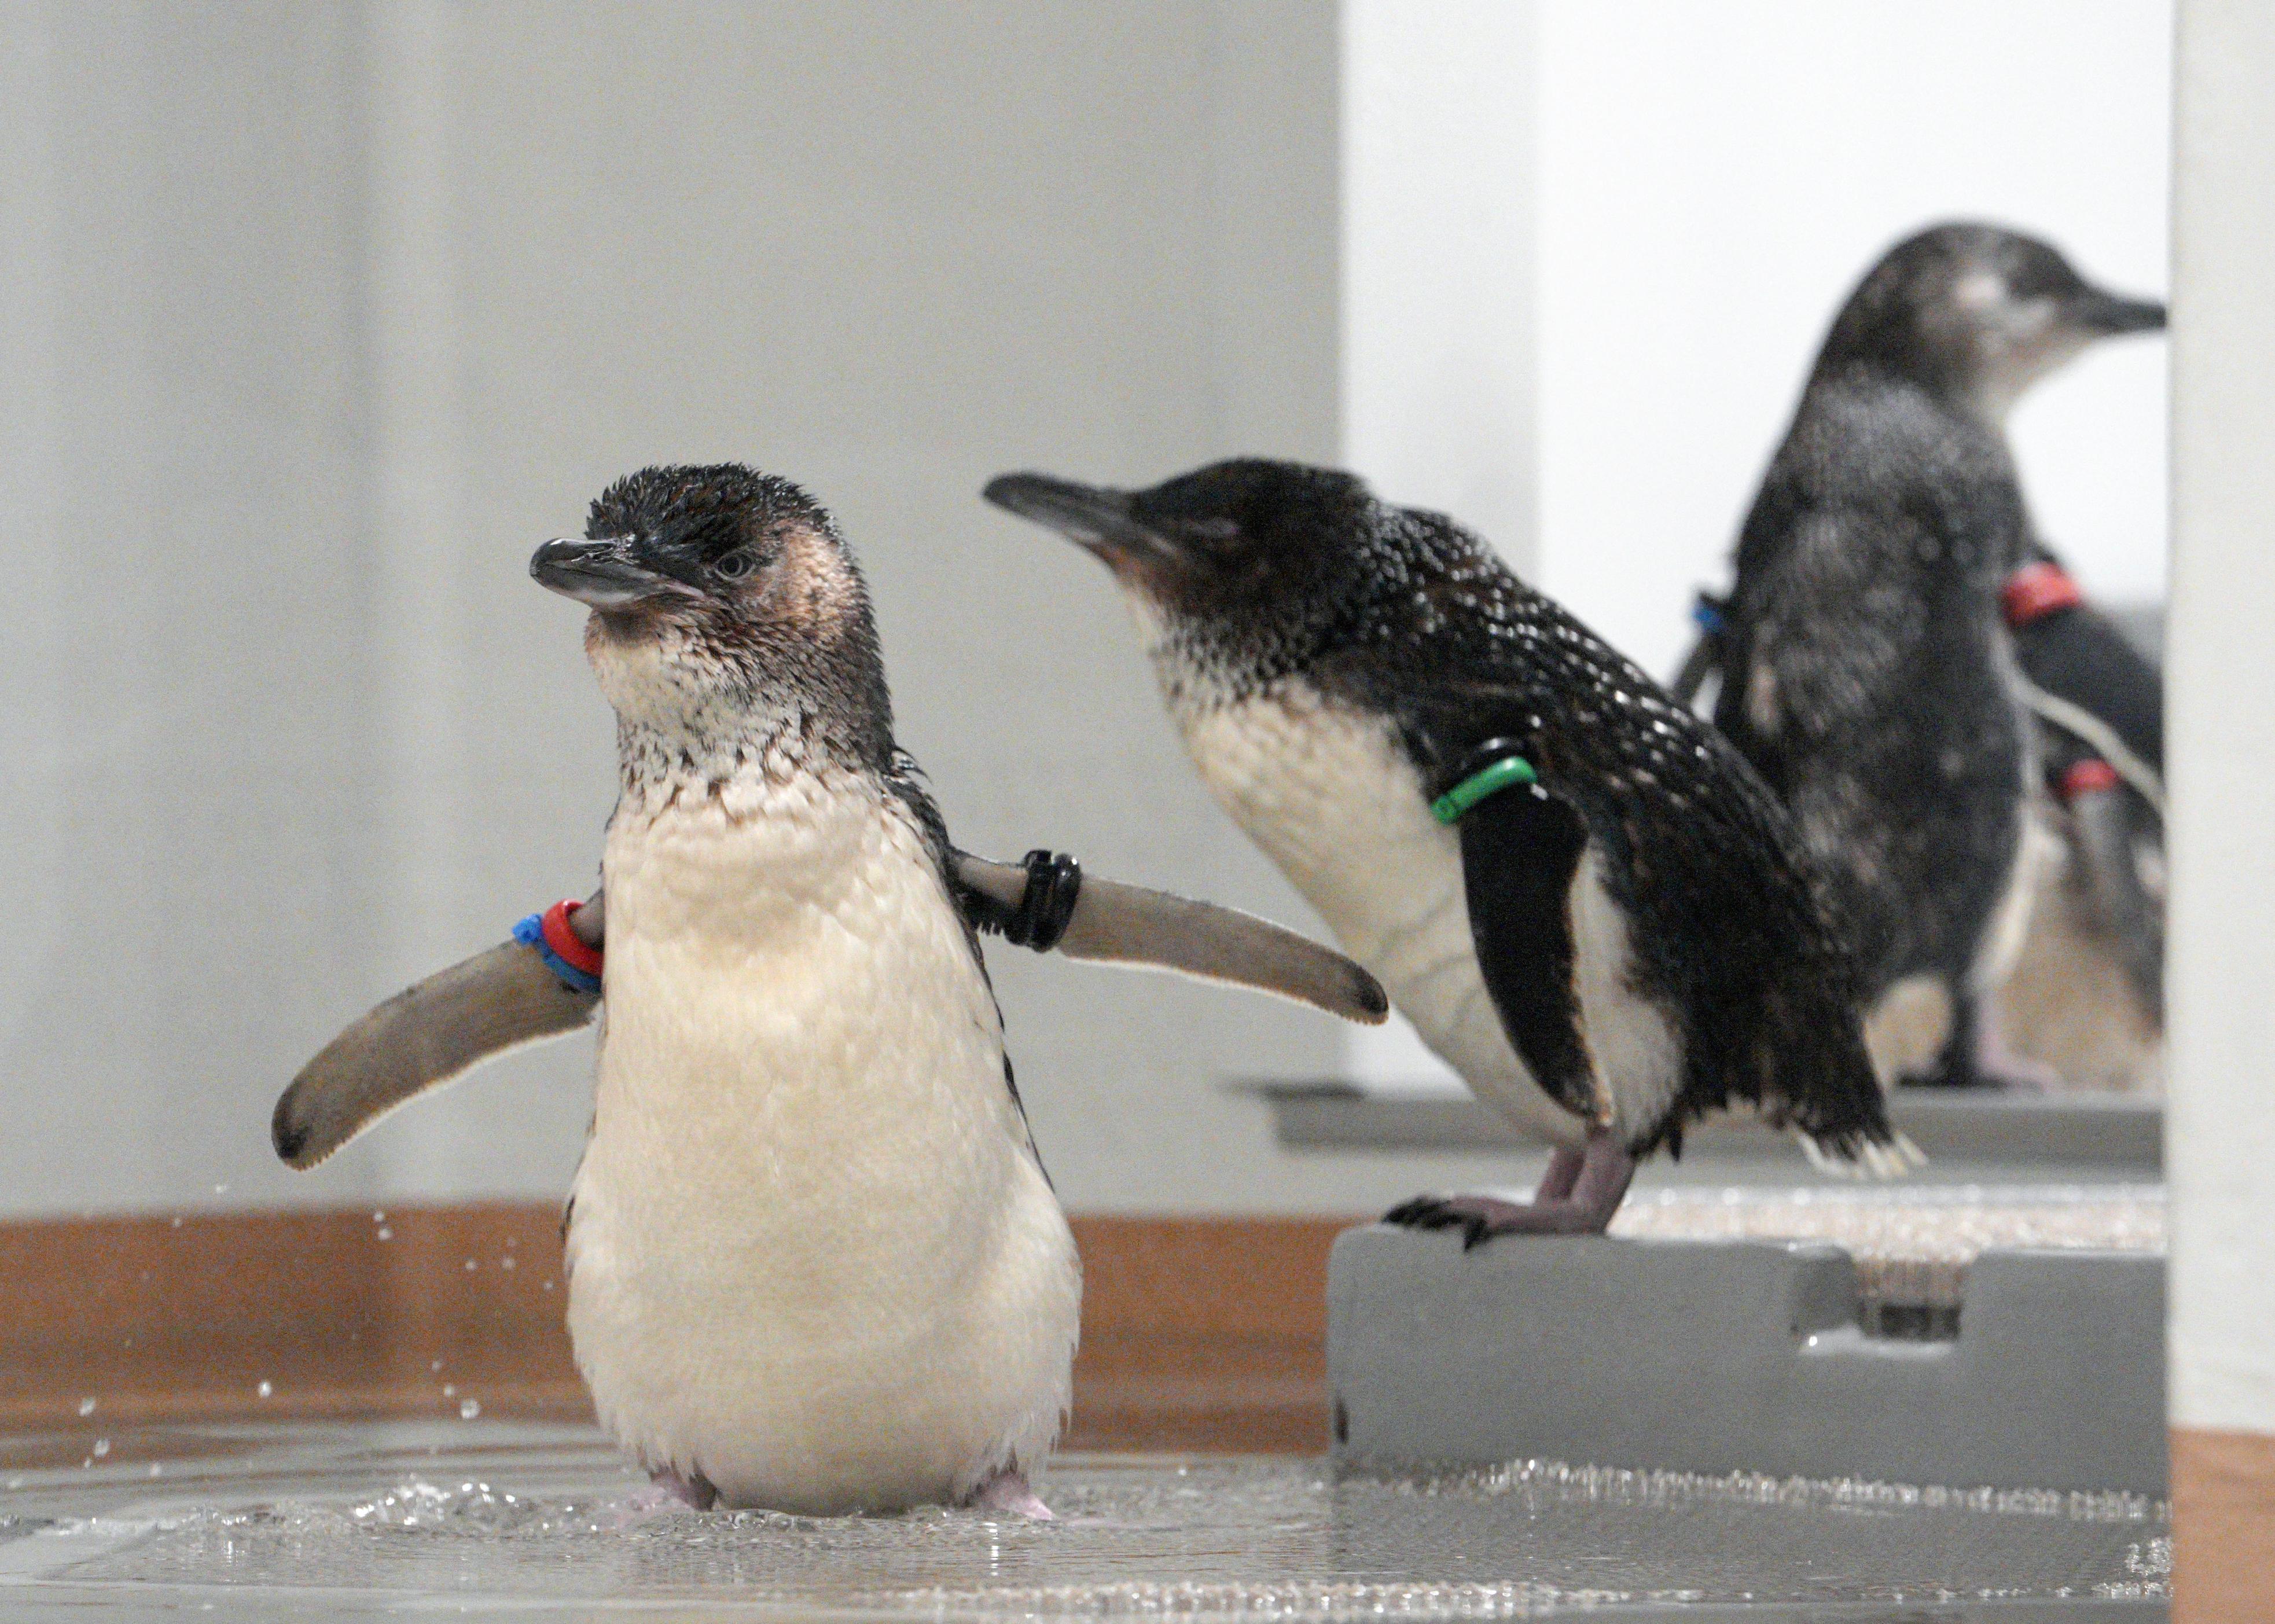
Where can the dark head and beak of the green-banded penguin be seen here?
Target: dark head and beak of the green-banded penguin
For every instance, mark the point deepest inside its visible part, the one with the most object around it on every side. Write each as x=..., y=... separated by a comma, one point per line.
x=1250, y=556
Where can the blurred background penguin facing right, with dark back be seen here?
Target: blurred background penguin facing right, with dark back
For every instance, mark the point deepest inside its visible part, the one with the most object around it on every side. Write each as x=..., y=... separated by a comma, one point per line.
x=1867, y=670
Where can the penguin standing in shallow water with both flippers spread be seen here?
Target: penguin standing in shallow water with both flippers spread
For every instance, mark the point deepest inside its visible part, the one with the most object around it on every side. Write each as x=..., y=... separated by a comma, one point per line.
x=813, y=1259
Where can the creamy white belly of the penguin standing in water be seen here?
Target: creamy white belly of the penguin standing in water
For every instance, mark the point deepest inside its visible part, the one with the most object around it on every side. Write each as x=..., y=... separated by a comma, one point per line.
x=811, y=1252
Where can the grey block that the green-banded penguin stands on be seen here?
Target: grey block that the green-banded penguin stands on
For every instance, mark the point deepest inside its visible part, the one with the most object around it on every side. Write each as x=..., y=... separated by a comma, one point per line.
x=1742, y=1357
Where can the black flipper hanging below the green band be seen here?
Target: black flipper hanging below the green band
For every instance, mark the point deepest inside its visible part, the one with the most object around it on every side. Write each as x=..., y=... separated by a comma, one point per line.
x=1519, y=854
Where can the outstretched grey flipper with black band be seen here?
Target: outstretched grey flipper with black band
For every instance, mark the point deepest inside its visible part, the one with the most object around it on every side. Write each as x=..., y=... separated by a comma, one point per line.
x=1132, y=925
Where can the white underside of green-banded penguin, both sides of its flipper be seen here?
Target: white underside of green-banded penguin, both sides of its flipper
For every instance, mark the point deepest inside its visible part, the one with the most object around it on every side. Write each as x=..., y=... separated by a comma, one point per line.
x=1339, y=809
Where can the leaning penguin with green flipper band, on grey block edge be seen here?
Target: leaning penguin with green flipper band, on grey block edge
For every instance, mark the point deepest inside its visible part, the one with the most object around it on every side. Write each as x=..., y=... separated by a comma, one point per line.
x=1573, y=888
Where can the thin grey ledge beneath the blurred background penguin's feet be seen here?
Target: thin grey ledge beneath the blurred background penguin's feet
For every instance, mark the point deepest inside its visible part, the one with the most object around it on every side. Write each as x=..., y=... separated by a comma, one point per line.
x=2106, y=1132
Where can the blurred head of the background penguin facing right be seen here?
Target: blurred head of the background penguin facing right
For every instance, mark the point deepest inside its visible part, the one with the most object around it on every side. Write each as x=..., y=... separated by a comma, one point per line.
x=1978, y=315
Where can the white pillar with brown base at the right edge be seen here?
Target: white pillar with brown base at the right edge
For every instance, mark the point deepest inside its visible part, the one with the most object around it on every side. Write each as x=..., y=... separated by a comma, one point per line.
x=2222, y=672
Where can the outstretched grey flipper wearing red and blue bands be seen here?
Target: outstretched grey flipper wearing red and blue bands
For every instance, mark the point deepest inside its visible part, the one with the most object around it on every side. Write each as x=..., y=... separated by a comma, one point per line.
x=422, y=1038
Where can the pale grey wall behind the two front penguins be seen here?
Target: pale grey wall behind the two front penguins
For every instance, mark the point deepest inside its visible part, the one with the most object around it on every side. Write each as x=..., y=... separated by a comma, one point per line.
x=320, y=317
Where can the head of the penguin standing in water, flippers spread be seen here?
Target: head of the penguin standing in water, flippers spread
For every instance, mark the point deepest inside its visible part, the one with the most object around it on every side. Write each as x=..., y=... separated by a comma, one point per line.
x=715, y=593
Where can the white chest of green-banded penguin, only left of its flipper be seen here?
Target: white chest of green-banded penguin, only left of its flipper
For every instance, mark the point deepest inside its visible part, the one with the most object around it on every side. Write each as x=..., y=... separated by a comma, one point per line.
x=1334, y=802
